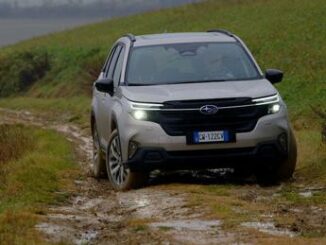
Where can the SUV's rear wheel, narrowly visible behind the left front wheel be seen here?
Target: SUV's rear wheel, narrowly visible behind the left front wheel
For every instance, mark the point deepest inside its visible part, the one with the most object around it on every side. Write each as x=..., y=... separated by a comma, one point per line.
x=98, y=166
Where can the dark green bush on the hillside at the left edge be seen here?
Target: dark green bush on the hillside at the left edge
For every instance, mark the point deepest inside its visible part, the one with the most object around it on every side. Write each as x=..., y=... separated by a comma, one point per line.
x=19, y=71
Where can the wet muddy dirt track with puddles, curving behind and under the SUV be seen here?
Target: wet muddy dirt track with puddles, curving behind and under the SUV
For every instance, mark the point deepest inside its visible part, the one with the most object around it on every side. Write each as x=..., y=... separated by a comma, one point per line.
x=156, y=214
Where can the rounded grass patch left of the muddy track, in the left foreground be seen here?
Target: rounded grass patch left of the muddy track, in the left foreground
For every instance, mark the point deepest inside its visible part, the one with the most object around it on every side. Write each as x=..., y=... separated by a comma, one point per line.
x=35, y=165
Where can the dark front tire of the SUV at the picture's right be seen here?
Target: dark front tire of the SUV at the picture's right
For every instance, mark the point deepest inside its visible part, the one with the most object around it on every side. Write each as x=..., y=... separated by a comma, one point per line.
x=282, y=171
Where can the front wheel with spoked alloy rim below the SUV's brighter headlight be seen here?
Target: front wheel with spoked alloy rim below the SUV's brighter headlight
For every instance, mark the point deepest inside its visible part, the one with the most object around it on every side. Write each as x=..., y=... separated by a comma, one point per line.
x=121, y=178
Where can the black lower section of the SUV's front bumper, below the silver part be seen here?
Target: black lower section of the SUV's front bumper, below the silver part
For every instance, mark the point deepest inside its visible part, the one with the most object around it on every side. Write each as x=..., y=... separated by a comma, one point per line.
x=148, y=159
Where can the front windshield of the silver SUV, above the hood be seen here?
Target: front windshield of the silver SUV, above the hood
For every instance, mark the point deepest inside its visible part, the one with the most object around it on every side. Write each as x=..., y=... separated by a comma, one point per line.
x=189, y=63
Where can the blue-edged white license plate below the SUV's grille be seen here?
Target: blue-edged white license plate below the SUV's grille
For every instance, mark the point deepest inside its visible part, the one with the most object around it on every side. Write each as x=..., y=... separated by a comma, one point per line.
x=211, y=136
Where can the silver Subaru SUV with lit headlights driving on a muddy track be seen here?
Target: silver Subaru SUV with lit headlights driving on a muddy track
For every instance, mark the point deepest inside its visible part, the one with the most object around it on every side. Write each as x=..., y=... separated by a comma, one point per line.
x=188, y=101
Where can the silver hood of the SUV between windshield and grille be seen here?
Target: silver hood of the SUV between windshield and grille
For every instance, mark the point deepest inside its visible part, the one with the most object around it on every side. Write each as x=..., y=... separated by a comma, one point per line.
x=199, y=91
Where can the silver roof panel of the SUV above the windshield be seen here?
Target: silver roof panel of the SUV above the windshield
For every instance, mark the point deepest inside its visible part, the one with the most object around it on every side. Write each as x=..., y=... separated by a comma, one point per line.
x=191, y=37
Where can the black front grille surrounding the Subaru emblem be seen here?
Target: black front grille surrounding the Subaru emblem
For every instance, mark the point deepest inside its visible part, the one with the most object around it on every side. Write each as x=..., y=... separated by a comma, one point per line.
x=182, y=122
